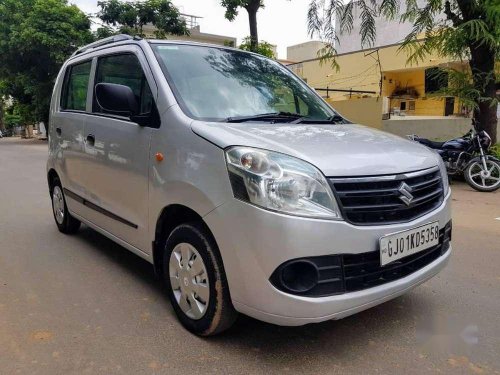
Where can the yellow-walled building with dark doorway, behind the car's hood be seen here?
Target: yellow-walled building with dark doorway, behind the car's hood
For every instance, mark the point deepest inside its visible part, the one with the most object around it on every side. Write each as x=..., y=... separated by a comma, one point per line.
x=382, y=74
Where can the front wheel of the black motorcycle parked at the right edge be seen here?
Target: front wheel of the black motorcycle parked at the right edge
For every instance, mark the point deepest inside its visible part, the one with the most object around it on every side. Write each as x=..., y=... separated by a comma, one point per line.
x=483, y=180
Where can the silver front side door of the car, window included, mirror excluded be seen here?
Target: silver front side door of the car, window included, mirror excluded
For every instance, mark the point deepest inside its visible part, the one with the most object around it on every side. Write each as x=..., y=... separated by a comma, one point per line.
x=117, y=151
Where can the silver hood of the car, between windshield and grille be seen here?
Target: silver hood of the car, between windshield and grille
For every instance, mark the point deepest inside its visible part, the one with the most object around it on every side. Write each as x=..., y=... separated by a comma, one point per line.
x=337, y=150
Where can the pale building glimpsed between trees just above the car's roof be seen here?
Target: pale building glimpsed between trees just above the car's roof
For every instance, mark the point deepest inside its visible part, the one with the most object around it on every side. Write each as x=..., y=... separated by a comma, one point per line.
x=195, y=33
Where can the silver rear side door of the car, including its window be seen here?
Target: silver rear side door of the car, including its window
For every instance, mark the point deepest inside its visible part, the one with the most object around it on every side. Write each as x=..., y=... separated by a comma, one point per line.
x=67, y=126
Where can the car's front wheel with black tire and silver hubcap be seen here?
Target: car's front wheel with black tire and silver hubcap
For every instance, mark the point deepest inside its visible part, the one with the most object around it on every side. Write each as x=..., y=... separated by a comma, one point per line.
x=197, y=288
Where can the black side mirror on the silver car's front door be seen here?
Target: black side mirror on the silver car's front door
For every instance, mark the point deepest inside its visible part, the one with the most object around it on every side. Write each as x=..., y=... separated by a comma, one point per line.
x=116, y=98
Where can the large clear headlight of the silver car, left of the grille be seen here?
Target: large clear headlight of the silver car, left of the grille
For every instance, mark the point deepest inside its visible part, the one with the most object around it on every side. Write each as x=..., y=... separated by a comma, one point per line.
x=280, y=183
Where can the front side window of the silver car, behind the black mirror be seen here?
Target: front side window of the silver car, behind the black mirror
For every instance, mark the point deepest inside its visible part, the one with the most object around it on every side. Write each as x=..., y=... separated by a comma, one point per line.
x=124, y=70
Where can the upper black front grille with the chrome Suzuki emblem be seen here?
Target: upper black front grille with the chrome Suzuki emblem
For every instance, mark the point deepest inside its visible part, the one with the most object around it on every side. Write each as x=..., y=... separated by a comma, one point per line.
x=380, y=200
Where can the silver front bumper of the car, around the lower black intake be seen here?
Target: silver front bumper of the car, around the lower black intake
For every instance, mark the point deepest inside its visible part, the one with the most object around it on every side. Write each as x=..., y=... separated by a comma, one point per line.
x=253, y=242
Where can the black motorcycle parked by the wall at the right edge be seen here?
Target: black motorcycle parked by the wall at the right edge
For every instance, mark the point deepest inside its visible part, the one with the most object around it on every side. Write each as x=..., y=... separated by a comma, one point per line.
x=468, y=156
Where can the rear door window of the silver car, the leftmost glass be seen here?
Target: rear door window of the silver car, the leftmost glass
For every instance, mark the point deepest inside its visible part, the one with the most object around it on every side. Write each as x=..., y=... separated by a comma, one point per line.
x=75, y=87
